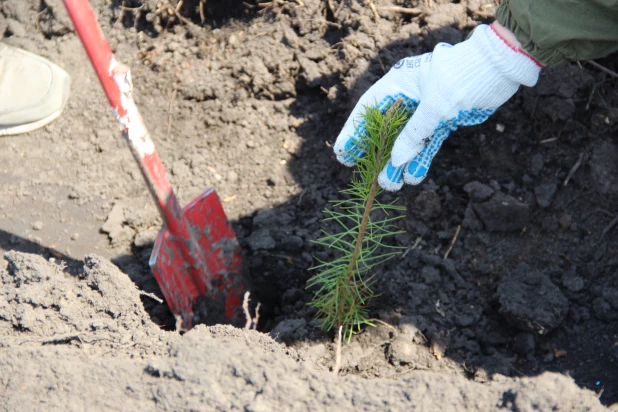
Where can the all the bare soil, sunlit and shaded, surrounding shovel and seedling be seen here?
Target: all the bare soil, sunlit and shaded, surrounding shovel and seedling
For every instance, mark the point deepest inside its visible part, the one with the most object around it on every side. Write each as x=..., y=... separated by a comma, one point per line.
x=249, y=101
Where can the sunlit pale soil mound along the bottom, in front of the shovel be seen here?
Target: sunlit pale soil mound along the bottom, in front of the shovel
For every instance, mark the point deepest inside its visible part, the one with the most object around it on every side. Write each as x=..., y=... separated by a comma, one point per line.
x=84, y=343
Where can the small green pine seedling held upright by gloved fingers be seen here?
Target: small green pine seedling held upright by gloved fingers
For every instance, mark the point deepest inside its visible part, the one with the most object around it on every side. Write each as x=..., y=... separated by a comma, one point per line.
x=343, y=286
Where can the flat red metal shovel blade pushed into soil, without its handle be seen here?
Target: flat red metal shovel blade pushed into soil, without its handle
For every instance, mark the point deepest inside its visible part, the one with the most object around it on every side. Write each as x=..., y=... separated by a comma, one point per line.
x=222, y=302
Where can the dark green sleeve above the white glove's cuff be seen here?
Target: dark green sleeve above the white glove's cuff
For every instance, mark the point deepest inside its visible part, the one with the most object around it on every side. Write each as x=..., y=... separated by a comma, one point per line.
x=556, y=31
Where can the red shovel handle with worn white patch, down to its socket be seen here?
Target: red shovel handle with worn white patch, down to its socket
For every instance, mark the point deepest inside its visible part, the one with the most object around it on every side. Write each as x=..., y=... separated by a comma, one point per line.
x=116, y=81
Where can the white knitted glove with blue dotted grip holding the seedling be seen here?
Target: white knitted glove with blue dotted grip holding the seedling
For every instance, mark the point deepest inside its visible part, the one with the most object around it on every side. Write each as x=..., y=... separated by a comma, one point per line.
x=454, y=86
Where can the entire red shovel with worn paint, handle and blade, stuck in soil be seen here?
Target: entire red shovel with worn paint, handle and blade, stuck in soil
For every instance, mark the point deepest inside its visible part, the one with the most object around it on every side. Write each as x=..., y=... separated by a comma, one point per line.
x=196, y=258
